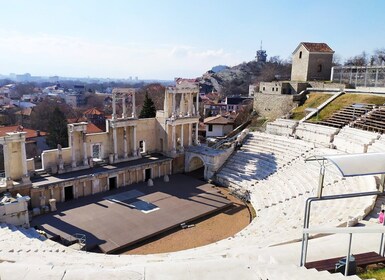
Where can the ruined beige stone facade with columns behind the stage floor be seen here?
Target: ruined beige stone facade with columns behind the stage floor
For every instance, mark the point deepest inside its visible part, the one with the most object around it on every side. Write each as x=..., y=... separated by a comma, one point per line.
x=131, y=150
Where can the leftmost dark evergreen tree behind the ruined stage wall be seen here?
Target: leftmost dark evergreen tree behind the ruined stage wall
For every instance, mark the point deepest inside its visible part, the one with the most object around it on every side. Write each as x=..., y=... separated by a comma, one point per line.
x=57, y=129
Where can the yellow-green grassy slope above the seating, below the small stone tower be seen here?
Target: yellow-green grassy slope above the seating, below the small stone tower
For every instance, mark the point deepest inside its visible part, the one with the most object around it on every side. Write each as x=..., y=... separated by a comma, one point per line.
x=337, y=104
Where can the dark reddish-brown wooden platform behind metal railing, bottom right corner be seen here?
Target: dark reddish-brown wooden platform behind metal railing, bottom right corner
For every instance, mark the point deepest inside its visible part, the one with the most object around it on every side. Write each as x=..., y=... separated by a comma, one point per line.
x=361, y=260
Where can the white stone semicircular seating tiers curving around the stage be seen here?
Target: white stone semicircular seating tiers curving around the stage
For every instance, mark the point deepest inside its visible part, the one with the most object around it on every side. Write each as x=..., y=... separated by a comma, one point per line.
x=278, y=193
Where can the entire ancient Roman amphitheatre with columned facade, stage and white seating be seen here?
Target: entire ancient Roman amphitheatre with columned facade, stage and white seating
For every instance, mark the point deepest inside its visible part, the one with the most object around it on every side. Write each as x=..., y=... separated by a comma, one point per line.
x=313, y=178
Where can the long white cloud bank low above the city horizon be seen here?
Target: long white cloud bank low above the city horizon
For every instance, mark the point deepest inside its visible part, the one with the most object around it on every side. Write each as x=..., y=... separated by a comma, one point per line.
x=44, y=54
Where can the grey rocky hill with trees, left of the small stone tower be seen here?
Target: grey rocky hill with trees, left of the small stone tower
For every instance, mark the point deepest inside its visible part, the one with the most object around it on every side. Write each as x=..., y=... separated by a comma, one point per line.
x=236, y=80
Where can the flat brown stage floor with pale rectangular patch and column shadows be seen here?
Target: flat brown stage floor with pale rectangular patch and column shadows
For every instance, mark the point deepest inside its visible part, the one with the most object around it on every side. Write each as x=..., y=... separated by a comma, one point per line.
x=122, y=217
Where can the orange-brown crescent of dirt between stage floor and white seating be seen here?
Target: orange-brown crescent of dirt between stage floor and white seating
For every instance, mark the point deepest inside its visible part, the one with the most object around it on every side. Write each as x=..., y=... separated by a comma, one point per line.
x=205, y=231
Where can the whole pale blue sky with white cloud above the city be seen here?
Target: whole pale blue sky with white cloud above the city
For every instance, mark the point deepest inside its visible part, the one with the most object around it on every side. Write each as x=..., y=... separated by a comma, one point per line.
x=164, y=39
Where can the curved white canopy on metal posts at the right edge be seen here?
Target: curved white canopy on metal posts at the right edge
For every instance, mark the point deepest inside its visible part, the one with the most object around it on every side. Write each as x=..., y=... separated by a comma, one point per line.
x=356, y=164
